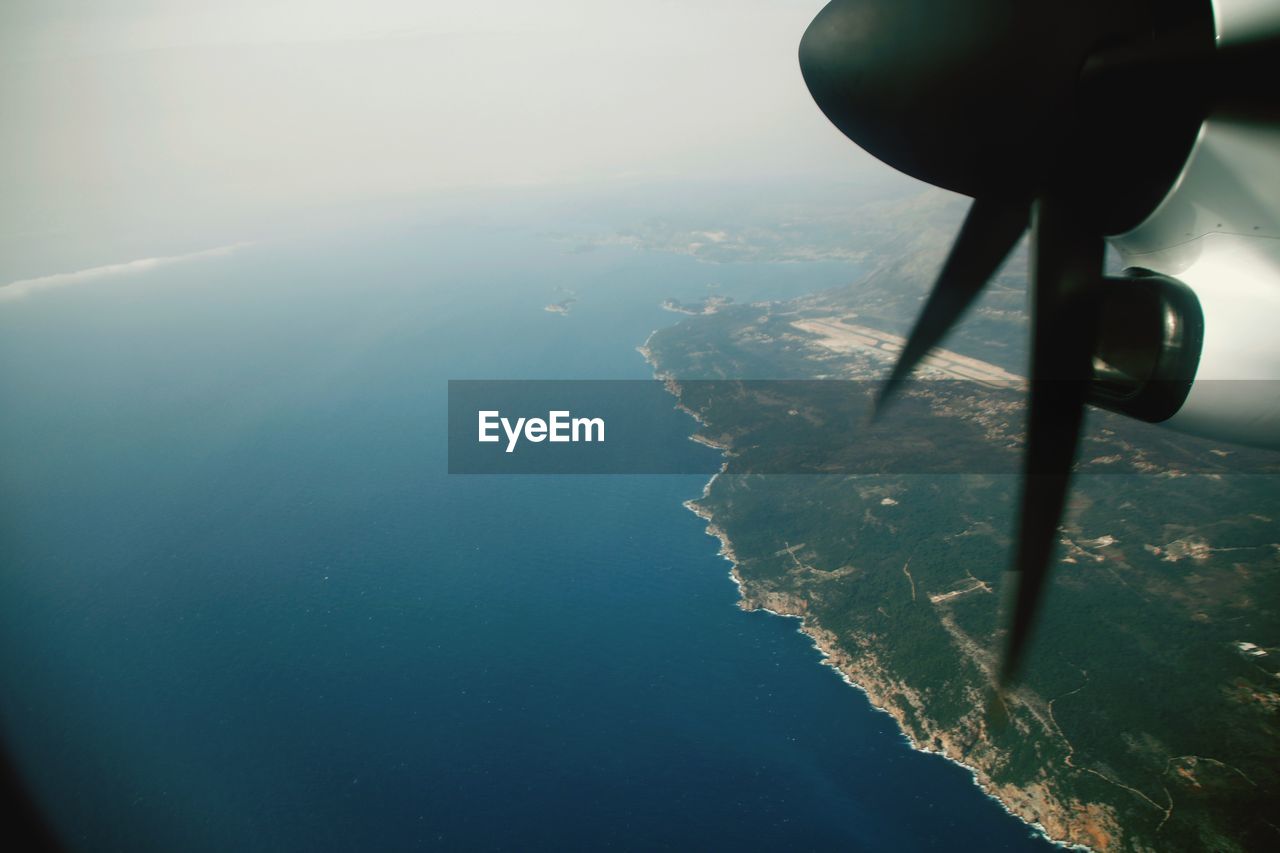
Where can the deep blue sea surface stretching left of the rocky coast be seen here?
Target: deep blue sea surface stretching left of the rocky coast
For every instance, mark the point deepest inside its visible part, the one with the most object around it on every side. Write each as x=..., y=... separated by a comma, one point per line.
x=244, y=608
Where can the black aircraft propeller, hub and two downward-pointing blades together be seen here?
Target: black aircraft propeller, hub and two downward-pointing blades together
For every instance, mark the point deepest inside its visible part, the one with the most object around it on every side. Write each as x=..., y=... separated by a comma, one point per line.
x=1077, y=116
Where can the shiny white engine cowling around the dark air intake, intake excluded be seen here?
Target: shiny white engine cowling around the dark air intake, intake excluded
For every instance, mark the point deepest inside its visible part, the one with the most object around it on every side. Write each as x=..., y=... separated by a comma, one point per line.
x=1218, y=232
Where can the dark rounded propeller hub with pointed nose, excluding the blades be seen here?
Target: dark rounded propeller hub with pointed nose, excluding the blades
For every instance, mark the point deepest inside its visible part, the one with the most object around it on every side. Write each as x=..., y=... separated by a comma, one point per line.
x=989, y=99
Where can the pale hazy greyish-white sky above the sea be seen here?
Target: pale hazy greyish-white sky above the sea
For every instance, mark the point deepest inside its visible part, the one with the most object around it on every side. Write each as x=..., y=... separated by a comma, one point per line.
x=139, y=120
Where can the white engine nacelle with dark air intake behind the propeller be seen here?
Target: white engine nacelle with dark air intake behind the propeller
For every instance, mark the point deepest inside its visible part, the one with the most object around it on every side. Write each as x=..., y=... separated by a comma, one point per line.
x=1214, y=239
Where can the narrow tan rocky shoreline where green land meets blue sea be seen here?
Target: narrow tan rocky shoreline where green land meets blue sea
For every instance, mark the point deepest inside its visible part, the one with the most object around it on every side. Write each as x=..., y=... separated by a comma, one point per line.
x=843, y=663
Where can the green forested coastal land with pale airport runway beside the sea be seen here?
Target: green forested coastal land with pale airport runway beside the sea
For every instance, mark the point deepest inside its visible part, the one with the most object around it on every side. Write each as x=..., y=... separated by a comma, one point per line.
x=1150, y=713
